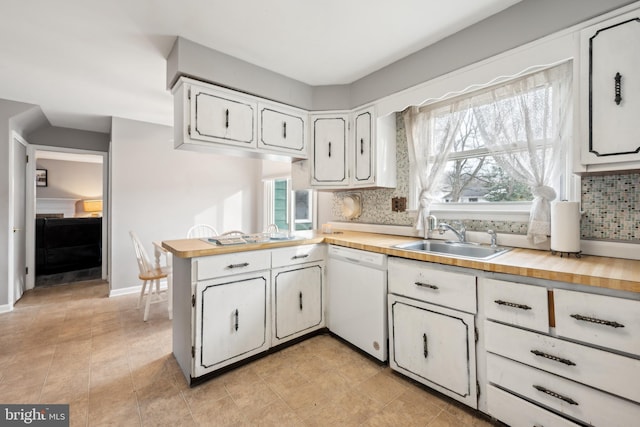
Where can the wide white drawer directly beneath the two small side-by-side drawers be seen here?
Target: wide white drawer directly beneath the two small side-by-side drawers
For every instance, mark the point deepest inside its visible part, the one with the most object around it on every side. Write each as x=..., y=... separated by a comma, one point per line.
x=600, y=369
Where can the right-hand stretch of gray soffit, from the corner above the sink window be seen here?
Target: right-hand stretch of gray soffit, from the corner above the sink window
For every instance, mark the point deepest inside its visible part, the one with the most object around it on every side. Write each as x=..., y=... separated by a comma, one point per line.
x=522, y=23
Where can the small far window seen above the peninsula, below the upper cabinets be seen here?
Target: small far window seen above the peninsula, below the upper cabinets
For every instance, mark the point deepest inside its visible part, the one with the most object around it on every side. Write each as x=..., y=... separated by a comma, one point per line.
x=289, y=209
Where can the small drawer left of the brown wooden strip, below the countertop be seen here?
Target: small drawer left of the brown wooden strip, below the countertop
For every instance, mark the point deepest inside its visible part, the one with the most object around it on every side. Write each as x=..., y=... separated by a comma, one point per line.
x=516, y=303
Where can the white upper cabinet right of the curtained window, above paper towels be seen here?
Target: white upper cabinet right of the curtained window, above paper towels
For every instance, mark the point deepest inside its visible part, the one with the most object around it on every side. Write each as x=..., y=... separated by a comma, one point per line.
x=610, y=84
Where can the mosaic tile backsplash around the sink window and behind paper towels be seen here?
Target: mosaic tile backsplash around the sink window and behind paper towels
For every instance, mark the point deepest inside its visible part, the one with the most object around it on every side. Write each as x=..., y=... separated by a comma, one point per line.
x=611, y=203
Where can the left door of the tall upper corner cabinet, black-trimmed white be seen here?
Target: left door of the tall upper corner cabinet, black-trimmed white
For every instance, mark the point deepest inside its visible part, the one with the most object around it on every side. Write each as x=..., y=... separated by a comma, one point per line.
x=329, y=150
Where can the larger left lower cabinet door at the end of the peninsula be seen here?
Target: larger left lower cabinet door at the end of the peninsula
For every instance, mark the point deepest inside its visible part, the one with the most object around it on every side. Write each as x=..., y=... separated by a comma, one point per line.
x=231, y=321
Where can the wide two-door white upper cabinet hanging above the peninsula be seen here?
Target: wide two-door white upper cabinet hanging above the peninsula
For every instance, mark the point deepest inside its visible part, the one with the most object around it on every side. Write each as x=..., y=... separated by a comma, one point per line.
x=216, y=119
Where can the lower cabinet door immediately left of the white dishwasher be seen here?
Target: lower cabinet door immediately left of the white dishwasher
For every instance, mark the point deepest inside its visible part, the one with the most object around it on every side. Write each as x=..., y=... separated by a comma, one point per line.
x=298, y=301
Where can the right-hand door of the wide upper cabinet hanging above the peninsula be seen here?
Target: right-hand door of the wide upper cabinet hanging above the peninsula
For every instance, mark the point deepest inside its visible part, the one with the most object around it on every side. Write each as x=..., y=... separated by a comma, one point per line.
x=282, y=130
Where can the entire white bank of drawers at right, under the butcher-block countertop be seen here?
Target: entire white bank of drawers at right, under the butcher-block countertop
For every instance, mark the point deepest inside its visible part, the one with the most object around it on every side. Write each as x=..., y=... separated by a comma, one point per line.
x=579, y=365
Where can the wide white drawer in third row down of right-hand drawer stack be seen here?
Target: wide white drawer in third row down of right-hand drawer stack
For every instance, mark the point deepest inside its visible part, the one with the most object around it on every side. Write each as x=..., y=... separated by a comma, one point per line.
x=565, y=396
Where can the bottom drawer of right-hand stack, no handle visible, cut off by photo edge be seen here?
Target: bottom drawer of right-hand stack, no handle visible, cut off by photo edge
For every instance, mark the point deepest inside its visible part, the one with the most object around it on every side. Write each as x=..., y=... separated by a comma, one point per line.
x=518, y=412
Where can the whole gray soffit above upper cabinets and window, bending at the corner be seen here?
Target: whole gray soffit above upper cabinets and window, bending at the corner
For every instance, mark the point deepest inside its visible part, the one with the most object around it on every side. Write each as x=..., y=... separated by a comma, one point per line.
x=522, y=23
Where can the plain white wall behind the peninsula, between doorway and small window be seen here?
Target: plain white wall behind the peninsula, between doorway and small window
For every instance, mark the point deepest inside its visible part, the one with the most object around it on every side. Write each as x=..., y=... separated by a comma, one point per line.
x=159, y=192
